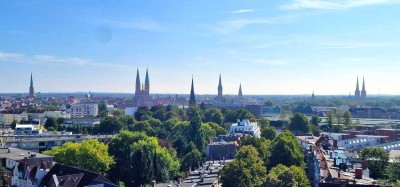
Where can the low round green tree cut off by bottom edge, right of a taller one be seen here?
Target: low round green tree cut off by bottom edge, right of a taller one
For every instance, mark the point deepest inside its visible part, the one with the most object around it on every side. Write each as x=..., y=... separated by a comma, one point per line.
x=283, y=176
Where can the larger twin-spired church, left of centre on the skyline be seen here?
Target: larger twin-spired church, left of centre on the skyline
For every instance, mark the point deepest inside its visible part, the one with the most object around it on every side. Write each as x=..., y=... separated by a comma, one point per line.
x=142, y=93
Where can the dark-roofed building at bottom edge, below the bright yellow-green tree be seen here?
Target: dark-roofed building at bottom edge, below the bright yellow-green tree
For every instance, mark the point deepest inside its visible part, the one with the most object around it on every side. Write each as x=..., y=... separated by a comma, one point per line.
x=62, y=175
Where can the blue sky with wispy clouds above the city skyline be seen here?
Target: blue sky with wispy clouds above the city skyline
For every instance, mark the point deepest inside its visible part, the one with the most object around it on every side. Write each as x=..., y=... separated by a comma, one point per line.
x=271, y=47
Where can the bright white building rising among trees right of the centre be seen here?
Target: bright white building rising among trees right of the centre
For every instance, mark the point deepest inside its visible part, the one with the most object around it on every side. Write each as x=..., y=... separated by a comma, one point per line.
x=246, y=127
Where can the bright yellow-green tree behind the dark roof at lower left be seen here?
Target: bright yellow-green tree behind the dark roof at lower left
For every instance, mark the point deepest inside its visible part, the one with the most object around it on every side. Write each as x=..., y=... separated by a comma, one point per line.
x=89, y=155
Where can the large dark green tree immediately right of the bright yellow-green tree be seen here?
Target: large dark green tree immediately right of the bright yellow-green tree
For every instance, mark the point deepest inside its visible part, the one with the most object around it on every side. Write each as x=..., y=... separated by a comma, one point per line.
x=139, y=159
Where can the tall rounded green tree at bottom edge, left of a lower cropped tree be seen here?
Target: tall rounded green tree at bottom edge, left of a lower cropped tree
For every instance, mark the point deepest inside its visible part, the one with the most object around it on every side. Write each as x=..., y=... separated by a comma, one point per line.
x=246, y=170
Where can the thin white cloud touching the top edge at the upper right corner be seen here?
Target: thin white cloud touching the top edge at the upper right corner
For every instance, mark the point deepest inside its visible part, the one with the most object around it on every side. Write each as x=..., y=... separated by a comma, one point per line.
x=333, y=4
